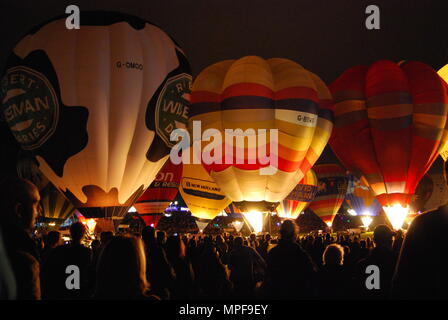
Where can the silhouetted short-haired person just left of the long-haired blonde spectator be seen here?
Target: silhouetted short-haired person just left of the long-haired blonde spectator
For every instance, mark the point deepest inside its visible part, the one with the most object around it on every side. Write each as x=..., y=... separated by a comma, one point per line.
x=54, y=270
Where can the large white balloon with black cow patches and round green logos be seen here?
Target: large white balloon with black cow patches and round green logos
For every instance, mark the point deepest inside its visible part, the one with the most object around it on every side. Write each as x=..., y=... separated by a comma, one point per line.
x=97, y=105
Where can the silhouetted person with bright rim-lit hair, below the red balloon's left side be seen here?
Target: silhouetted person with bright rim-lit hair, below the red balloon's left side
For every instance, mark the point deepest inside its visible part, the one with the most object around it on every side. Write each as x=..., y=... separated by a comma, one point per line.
x=333, y=278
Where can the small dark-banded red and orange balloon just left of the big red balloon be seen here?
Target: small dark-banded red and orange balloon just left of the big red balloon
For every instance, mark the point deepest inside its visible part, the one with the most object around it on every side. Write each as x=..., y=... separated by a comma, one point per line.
x=332, y=187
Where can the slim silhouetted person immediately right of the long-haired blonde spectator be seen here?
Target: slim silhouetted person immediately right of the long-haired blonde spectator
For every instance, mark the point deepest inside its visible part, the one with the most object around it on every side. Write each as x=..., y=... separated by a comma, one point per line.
x=158, y=270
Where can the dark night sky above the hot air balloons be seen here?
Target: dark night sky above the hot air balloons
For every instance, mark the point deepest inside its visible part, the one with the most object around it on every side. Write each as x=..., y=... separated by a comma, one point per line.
x=325, y=36
